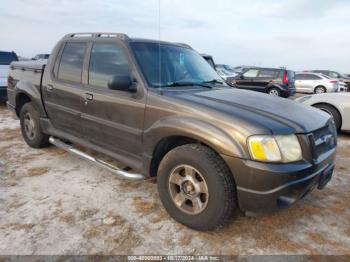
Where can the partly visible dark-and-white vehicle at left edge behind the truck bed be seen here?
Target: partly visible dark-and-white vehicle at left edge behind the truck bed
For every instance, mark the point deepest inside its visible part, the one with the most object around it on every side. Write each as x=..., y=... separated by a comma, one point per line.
x=5, y=60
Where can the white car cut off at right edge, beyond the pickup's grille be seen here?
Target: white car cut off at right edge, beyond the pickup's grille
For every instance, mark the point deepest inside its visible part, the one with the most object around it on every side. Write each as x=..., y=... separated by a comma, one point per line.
x=335, y=104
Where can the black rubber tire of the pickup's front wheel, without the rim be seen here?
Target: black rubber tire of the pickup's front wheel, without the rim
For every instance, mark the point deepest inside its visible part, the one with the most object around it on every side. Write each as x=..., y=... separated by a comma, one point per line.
x=222, y=198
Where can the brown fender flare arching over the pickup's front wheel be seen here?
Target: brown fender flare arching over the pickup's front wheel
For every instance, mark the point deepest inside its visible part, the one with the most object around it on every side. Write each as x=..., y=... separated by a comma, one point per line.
x=214, y=137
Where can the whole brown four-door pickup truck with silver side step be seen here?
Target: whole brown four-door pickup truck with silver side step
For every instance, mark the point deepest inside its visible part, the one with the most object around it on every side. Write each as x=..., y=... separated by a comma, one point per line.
x=161, y=109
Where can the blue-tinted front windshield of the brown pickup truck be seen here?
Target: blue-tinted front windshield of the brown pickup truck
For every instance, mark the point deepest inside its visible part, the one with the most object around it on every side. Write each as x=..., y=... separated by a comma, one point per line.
x=164, y=65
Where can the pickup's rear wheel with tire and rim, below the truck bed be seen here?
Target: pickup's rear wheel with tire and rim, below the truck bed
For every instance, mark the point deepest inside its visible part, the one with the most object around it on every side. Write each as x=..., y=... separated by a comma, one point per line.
x=33, y=136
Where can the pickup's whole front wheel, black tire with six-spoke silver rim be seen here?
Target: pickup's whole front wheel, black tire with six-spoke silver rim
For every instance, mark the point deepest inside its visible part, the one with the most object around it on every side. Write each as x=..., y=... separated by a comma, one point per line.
x=196, y=187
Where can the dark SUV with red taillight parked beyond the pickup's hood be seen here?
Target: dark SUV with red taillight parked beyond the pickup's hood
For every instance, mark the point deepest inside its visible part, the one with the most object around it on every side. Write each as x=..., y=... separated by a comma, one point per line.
x=273, y=81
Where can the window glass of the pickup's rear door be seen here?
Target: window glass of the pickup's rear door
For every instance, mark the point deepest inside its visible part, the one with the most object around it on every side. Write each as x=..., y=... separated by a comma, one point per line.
x=71, y=64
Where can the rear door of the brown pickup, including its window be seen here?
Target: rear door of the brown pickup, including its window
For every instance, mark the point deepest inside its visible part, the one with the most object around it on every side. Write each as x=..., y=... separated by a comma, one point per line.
x=62, y=96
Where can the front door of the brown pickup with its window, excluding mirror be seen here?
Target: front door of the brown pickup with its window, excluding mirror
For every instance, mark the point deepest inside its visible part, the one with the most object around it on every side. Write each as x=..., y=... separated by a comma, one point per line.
x=113, y=119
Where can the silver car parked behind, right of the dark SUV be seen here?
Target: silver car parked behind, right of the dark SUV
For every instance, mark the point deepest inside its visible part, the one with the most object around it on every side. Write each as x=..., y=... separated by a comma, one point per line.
x=306, y=82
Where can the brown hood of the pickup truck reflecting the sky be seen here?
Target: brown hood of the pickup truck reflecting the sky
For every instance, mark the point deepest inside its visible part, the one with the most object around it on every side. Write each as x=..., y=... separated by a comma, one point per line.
x=279, y=115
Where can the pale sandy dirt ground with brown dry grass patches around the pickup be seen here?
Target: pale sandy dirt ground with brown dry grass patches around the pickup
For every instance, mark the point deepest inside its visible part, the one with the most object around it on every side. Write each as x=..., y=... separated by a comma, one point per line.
x=54, y=203
